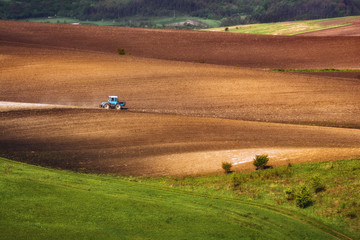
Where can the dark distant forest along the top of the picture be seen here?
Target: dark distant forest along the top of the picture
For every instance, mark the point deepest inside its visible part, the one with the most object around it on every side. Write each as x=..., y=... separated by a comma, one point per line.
x=230, y=12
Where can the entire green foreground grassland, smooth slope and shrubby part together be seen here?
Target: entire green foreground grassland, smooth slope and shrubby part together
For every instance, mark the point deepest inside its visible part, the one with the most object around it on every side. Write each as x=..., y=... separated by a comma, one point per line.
x=40, y=203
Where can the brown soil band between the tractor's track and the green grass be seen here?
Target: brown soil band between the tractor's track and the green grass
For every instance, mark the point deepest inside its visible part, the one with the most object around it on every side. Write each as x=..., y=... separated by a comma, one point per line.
x=157, y=144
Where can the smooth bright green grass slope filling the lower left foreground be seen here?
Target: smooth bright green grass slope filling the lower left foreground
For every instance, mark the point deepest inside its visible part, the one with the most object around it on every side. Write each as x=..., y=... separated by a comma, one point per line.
x=44, y=203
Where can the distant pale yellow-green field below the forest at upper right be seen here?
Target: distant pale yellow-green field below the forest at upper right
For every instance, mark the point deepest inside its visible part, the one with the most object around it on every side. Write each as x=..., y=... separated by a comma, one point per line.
x=280, y=28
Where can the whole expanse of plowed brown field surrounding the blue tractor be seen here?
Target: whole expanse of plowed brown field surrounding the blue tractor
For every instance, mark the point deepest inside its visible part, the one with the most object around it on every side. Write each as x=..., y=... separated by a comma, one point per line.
x=183, y=117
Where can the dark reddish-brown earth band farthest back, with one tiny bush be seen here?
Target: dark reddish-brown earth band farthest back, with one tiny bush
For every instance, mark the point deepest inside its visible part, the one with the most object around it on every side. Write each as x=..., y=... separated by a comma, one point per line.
x=218, y=48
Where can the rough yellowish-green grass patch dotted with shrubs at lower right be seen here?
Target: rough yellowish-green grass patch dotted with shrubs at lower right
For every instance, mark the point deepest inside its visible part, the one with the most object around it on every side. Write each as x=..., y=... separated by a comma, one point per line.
x=335, y=193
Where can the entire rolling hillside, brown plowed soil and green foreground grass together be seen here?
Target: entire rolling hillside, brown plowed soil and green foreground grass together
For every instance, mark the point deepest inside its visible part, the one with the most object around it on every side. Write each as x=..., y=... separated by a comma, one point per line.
x=195, y=100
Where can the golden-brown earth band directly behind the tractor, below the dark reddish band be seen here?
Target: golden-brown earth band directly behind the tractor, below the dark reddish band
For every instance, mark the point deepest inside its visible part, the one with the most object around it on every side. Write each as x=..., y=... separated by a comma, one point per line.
x=69, y=77
